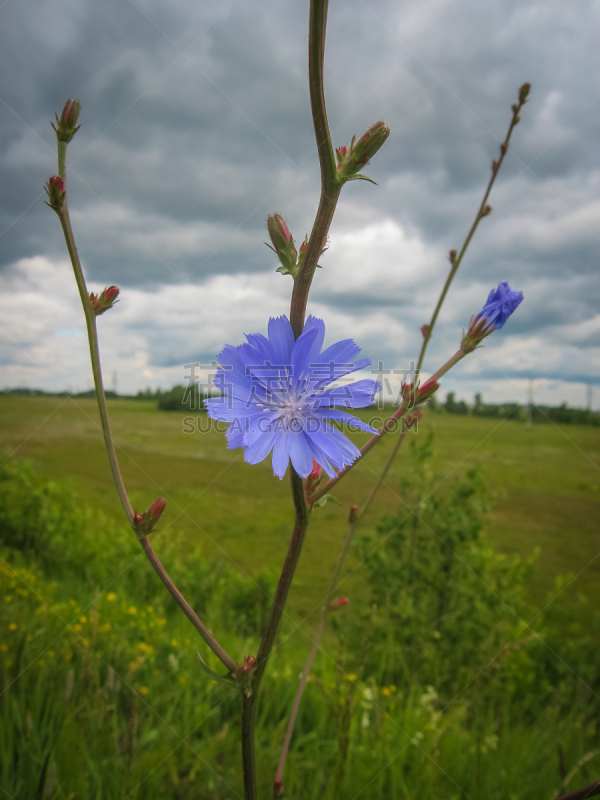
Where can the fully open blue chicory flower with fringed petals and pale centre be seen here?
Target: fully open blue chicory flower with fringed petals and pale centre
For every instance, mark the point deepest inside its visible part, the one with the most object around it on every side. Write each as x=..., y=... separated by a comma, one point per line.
x=275, y=398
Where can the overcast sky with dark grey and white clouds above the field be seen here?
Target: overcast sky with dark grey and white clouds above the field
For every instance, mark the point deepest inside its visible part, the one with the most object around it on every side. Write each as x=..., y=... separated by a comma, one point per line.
x=195, y=125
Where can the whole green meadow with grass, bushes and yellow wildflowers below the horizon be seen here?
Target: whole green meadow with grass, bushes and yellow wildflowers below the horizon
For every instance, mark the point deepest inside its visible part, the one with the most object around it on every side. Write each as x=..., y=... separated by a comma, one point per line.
x=444, y=678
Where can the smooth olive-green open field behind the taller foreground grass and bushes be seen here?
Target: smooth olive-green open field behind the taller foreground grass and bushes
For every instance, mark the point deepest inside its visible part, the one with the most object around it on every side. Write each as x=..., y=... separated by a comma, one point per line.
x=546, y=480
